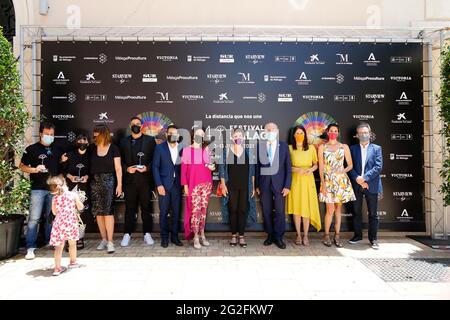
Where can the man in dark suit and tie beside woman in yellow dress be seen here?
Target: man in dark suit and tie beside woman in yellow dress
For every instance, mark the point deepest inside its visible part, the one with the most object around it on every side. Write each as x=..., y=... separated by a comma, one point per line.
x=273, y=180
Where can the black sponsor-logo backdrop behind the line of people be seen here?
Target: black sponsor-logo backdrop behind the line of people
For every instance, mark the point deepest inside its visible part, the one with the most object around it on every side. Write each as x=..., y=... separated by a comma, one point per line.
x=228, y=84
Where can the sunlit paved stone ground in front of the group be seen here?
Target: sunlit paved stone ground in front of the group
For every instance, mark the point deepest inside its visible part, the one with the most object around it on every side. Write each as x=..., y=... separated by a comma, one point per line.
x=222, y=272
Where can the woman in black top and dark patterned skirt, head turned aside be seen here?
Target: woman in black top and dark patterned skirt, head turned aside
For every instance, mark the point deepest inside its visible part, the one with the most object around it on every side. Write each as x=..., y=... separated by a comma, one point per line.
x=106, y=182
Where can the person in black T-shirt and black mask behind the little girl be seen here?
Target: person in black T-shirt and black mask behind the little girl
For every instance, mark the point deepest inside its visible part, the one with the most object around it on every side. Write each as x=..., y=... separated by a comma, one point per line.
x=75, y=165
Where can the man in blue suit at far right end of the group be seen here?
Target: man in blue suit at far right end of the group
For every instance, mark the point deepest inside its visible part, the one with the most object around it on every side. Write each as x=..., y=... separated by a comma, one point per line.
x=366, y=181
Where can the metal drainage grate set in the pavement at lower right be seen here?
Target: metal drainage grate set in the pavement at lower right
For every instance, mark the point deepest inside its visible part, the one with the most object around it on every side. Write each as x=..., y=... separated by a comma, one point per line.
x=415, y=270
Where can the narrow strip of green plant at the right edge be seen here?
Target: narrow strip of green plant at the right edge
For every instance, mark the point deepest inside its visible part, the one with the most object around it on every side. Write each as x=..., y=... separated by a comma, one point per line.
x=444, y=114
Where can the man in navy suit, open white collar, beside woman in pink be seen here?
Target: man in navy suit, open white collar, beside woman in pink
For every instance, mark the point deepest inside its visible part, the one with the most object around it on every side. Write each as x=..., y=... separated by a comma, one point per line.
x=166, y=171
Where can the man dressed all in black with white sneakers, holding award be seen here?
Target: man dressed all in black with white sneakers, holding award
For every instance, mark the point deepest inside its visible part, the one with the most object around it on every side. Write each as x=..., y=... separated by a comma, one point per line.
x=137, y=154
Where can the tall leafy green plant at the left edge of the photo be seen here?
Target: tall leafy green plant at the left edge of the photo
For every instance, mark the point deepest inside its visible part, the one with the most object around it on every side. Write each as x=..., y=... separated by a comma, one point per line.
x=14, y=119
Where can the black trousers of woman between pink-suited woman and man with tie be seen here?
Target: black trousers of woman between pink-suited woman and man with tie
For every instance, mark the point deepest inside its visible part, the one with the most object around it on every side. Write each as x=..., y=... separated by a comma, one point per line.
x=238, y=208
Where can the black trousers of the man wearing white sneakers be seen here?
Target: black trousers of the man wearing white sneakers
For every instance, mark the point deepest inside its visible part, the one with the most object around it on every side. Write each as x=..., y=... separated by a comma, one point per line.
x=138, y=195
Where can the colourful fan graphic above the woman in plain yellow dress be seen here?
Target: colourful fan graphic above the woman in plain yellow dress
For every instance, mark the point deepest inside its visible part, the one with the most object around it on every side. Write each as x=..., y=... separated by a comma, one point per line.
x=315, y=123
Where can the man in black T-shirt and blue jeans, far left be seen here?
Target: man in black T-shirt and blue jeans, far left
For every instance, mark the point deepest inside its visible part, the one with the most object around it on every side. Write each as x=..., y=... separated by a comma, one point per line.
x=40, y=160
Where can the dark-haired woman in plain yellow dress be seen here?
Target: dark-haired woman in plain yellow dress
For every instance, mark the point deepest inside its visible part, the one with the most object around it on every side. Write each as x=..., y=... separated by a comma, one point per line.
x=302, y=200
